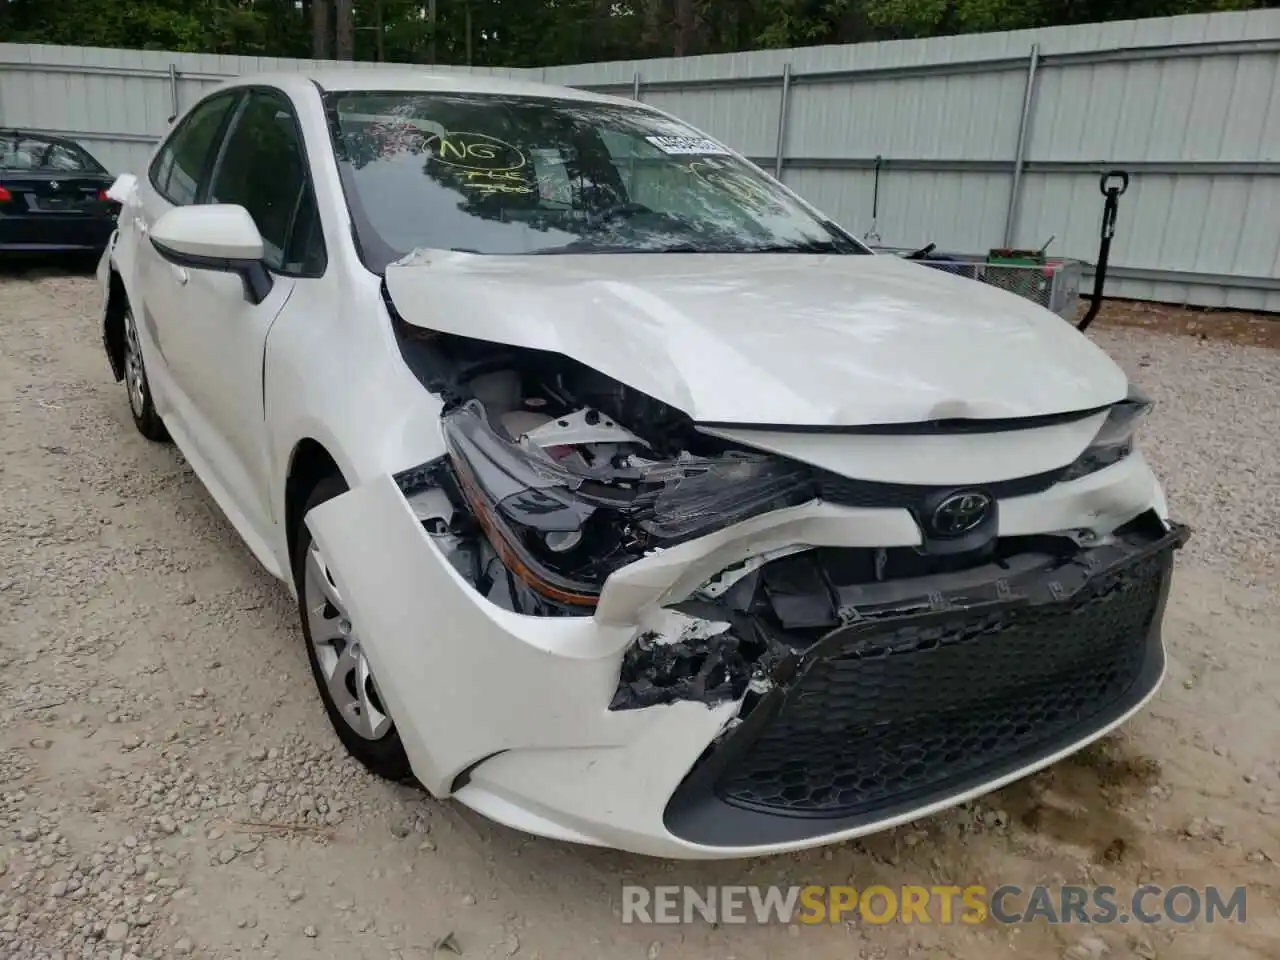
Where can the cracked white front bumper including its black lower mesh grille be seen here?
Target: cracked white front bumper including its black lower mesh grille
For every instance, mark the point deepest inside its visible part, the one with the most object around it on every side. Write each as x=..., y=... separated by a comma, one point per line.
x=511, y=715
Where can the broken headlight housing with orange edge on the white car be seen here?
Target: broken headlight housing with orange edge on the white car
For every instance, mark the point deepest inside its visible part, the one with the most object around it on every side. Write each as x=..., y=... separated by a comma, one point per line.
x=563, y=531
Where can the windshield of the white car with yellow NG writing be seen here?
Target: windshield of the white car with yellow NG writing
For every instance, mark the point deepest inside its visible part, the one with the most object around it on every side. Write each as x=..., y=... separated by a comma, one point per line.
x=513, y=176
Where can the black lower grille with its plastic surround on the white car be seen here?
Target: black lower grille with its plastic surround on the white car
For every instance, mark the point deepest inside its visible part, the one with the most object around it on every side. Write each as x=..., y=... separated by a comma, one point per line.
x=892, y=715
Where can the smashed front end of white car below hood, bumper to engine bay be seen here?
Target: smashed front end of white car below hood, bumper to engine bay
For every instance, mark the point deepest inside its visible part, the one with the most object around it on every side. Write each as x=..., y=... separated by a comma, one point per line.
x=821, y=656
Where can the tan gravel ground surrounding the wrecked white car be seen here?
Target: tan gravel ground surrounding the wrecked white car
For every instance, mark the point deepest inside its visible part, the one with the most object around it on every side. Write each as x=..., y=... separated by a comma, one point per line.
x=170, y=785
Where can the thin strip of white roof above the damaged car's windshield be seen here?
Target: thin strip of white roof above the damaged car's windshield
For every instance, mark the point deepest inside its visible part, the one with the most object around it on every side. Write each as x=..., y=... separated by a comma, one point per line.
x=427, y=81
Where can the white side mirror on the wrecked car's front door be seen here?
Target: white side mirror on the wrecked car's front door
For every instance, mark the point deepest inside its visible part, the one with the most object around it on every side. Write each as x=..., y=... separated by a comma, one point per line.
x=216, y=237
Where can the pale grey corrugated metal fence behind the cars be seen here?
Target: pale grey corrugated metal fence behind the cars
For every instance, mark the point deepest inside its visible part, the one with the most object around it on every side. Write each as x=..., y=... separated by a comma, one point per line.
x=982, y=140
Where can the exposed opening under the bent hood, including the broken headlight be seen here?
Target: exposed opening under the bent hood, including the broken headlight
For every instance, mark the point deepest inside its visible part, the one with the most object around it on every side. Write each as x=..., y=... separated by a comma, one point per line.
x=566, y=476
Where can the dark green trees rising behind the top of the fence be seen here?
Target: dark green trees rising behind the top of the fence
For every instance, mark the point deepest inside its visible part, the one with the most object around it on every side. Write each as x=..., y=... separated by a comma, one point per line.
x=541, y=33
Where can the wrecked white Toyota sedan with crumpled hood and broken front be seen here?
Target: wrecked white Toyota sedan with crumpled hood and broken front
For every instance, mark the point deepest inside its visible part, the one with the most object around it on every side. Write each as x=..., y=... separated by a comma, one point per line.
x=629, y=500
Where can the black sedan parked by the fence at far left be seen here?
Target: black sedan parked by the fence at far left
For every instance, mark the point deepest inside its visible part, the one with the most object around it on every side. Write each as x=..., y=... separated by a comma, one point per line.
x=53, y=196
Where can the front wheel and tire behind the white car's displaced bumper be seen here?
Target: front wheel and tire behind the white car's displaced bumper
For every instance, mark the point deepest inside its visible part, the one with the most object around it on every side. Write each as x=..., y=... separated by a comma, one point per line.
x=359, y=723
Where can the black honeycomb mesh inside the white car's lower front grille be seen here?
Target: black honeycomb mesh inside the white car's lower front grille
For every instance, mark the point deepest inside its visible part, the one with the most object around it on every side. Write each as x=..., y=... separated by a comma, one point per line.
x=899, y=715
